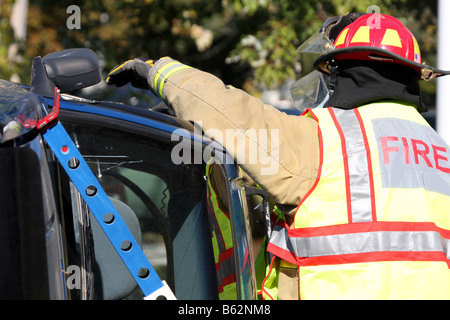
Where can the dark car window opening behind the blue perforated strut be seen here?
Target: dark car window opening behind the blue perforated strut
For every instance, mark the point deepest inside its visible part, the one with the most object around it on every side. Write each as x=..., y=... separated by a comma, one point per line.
x=166, y=201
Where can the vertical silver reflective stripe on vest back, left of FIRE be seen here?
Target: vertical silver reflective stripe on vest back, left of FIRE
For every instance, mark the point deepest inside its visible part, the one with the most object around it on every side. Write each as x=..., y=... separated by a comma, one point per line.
x=359, y=180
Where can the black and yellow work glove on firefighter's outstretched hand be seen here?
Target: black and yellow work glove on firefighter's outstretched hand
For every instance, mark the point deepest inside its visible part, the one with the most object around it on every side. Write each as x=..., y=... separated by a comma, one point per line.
x=134, y=71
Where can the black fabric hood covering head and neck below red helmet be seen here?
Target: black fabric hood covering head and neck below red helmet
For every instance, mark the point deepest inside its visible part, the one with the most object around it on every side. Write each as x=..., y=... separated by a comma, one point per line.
x=361, y=82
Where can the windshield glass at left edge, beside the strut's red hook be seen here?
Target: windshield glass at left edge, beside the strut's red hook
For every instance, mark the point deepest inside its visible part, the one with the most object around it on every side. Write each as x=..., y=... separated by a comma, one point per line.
x=19, y=110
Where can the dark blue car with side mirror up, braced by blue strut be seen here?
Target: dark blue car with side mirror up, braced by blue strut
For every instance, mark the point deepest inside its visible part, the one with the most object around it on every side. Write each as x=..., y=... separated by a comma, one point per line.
x=54, y=248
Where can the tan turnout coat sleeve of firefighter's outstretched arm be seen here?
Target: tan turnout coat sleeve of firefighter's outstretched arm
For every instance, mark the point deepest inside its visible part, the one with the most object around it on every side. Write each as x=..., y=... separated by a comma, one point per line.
x=288, y=167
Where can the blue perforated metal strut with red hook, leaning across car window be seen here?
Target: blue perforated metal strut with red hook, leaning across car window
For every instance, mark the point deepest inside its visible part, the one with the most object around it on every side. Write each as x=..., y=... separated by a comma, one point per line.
x=101, y=207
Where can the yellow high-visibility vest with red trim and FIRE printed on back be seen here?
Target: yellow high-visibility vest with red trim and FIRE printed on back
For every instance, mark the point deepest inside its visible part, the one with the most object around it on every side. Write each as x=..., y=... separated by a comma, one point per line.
x=376, y=223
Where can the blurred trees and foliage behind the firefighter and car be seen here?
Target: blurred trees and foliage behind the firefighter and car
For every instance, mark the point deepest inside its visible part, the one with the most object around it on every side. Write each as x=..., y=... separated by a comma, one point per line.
x=249, y=44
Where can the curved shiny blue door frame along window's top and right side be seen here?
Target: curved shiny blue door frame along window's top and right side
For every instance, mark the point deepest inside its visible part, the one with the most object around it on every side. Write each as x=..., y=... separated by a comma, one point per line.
x=164, y=131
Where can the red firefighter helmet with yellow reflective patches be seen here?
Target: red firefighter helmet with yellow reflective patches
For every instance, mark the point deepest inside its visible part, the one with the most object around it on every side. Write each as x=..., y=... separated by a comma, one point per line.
x=377, y=37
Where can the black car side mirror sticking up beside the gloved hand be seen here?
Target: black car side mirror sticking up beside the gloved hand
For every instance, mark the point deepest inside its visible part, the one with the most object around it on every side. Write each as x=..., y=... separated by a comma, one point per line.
x=69, y=70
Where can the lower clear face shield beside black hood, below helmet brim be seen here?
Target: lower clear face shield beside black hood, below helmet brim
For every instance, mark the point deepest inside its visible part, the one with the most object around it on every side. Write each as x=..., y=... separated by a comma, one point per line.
x=310, y=91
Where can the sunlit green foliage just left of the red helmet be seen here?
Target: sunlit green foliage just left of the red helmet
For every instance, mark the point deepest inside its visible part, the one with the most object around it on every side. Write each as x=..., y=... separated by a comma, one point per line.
x=271, y=50
